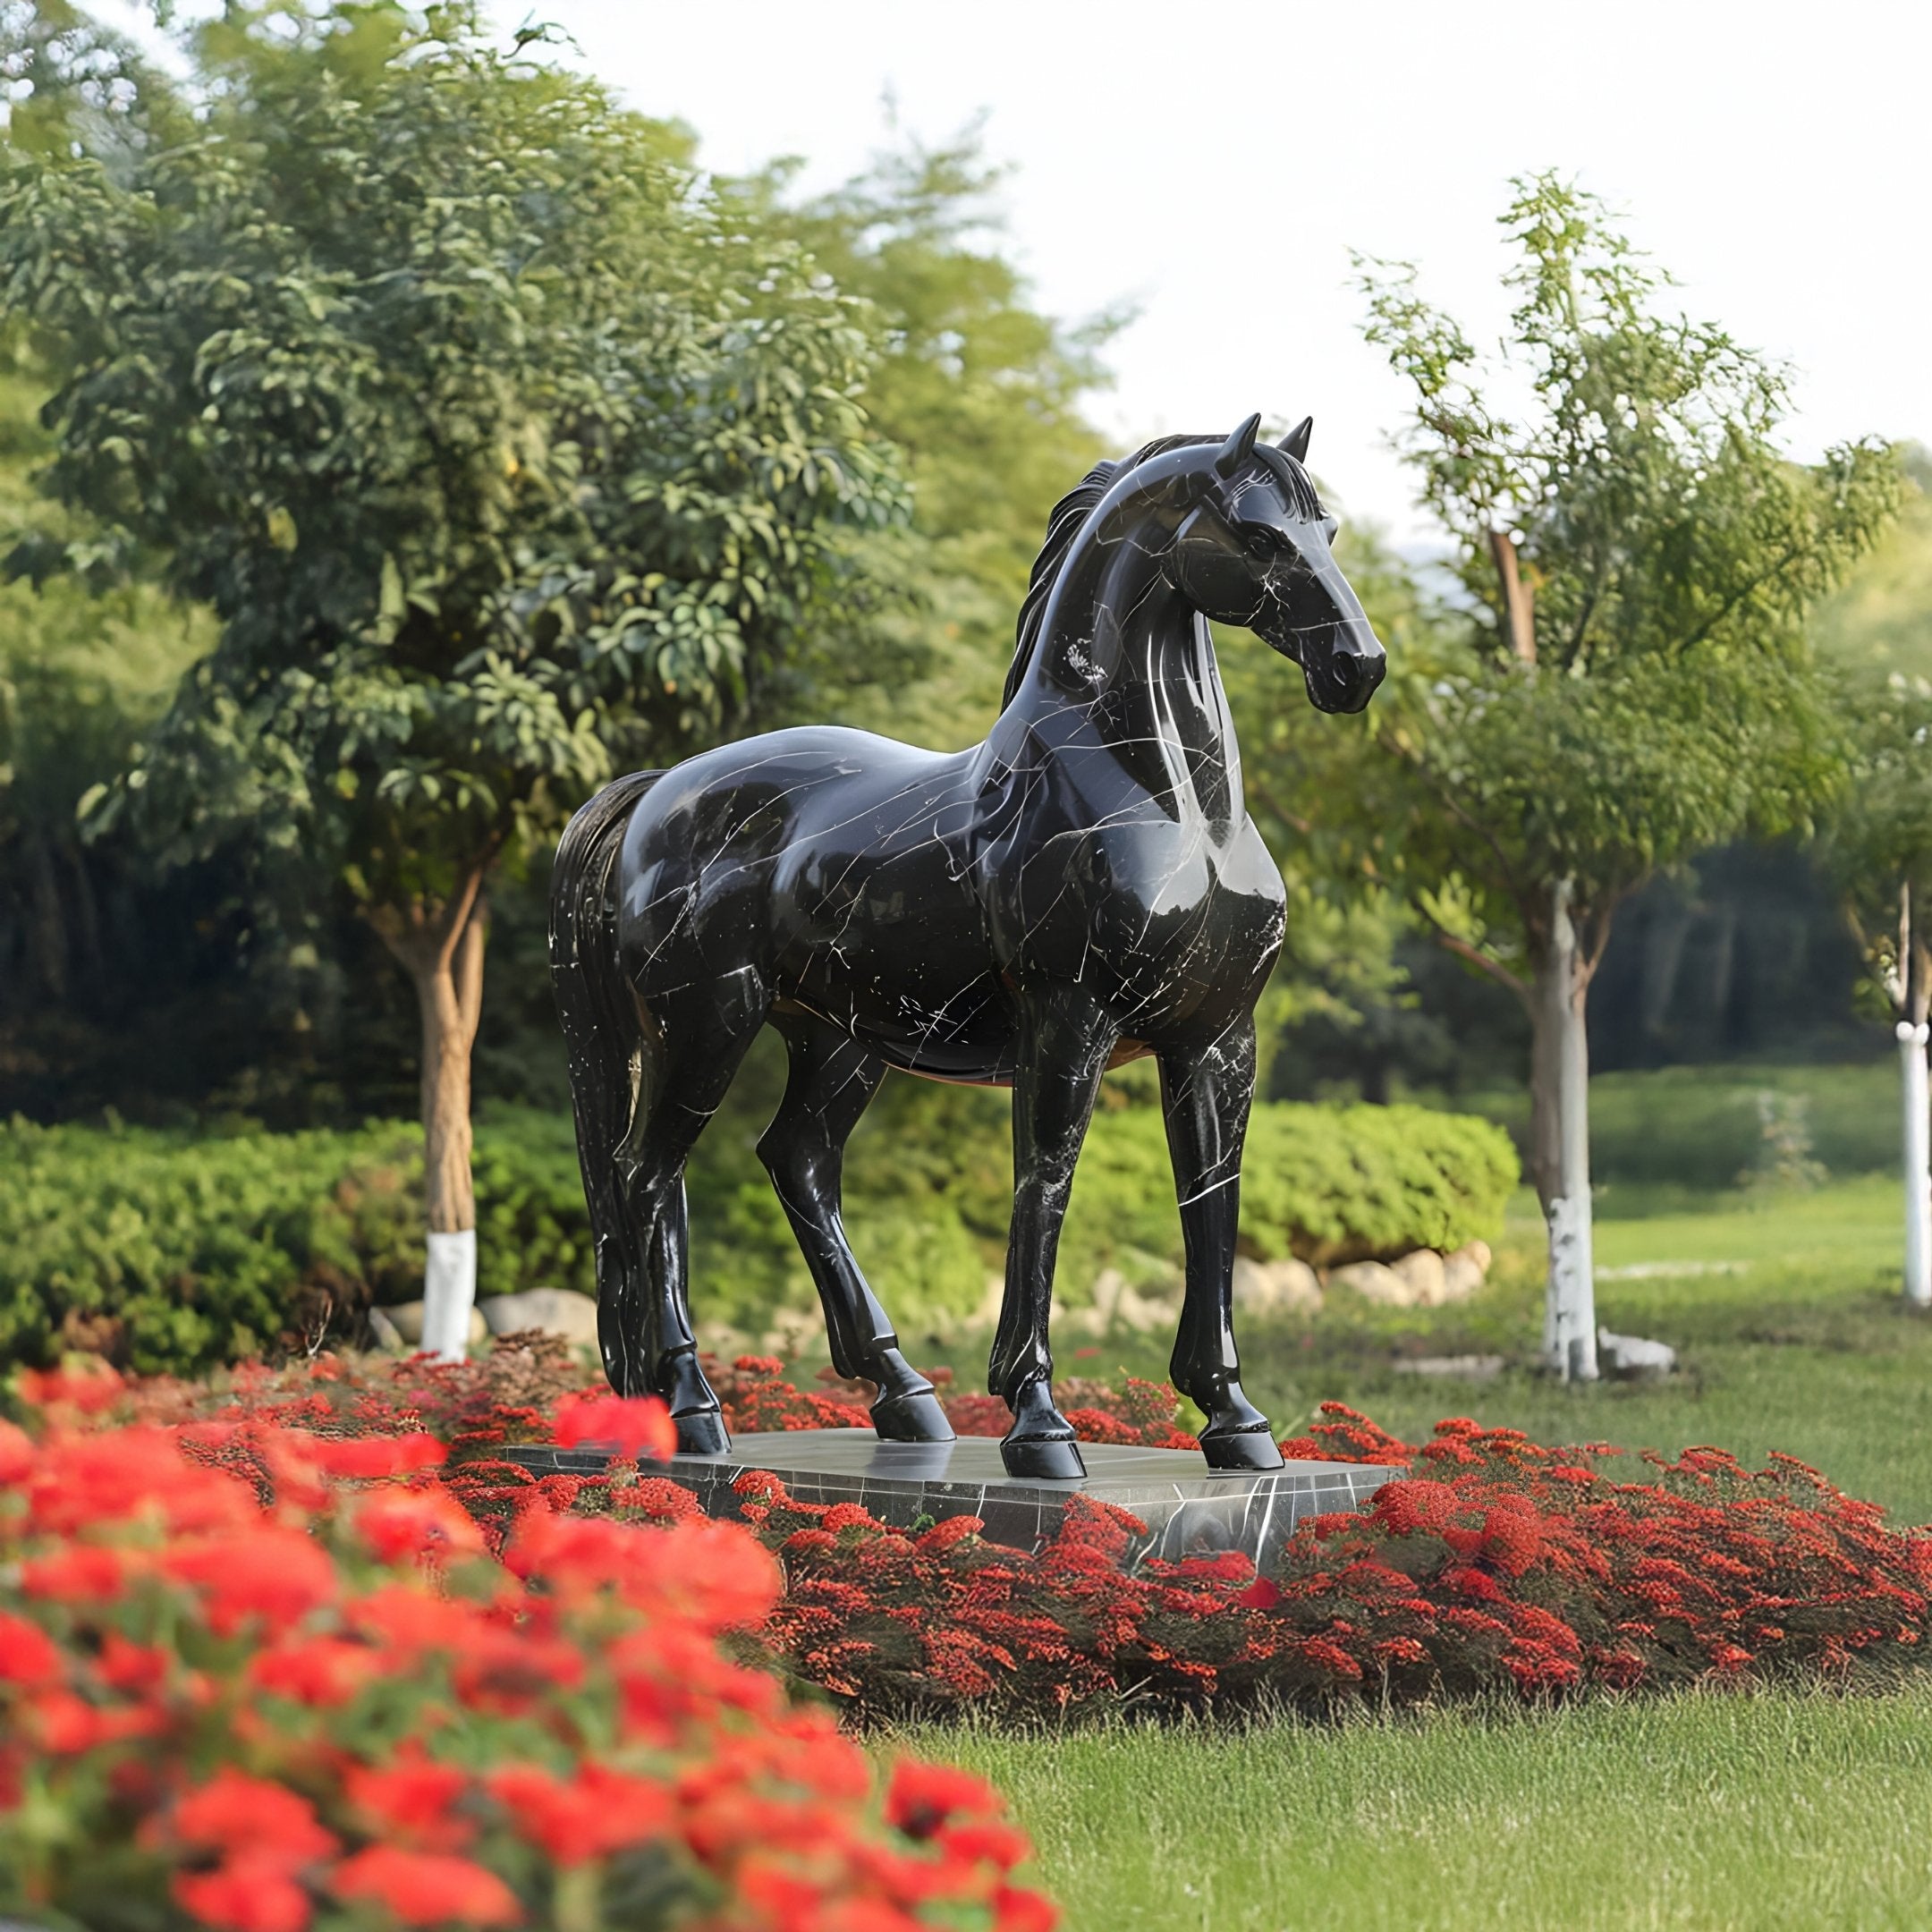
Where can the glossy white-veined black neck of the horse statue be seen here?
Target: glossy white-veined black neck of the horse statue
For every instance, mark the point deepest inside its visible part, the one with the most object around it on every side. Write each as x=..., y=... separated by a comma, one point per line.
x=1125, y=652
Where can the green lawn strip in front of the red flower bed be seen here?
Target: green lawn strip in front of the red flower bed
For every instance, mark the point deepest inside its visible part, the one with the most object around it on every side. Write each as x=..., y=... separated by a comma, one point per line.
x=1707, y=1811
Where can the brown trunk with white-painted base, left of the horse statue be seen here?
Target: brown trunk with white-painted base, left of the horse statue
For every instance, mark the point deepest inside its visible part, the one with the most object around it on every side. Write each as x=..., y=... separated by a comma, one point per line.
x=441, y=950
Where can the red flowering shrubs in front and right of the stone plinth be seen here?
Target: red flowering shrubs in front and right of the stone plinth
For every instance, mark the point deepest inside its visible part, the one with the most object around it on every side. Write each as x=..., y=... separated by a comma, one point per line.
x=1498, y=1564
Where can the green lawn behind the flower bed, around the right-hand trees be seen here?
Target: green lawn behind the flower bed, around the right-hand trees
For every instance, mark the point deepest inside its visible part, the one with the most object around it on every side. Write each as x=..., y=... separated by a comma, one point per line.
x=1805, y=1348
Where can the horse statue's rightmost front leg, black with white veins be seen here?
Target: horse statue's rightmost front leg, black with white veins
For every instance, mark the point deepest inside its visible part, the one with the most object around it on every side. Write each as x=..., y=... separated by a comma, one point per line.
x=1207, y=1091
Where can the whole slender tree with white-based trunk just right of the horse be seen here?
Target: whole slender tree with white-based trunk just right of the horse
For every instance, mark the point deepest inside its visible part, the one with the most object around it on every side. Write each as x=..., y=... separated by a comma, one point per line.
x=1622, y=679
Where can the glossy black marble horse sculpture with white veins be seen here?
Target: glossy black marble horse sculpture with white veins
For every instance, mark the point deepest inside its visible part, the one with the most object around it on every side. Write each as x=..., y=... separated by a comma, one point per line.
x=1077, y=892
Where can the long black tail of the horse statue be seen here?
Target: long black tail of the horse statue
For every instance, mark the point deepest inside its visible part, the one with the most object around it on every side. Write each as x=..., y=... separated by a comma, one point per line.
x=600, y=1017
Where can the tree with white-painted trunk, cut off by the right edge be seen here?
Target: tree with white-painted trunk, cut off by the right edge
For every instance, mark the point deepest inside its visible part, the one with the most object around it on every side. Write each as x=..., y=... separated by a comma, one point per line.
x=1879, y=849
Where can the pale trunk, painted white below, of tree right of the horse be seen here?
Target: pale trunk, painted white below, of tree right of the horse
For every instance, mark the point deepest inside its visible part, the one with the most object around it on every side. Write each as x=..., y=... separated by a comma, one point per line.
x=1570, y=1301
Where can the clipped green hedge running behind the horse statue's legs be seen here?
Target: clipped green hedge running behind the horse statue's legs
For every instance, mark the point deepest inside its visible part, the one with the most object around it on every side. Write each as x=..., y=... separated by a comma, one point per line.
x=175, y=1253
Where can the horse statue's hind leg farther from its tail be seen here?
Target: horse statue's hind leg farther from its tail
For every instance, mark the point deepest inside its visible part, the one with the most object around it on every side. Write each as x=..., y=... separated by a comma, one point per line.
x=803, y=1151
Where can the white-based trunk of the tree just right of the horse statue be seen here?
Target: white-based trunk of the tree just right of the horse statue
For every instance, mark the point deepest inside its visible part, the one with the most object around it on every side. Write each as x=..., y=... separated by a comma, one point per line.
x=1560, y=1141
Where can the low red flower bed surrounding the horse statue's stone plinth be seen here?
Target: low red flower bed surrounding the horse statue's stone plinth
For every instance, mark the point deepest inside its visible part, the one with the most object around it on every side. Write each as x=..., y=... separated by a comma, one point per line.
x=1496, y=1568
